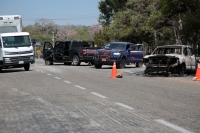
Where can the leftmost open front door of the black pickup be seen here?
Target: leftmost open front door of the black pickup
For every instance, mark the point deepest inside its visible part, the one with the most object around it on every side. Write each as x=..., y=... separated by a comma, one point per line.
x=47, y=50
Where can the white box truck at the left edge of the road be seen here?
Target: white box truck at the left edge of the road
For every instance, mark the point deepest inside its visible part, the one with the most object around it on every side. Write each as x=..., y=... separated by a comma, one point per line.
x=16, y=48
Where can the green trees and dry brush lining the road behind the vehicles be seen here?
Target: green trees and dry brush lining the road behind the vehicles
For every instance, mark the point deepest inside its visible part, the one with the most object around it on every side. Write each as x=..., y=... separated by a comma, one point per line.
x=151, y=22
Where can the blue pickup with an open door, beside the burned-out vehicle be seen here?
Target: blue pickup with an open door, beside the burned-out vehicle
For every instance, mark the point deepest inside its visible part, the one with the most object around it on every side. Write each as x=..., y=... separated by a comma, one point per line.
x=122, y=53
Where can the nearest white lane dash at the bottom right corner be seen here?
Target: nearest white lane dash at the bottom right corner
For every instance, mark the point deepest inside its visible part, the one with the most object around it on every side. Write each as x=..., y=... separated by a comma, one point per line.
x=180, y=129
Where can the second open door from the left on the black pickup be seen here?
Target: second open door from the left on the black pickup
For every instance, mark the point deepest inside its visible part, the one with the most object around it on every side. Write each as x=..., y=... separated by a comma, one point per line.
x=58, y=51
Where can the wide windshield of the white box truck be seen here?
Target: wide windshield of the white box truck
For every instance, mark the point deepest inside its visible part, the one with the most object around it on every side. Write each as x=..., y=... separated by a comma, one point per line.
x=16, y=41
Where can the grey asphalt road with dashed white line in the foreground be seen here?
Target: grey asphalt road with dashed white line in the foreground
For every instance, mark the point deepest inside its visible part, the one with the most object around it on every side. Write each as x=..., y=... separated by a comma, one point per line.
x=82, y=99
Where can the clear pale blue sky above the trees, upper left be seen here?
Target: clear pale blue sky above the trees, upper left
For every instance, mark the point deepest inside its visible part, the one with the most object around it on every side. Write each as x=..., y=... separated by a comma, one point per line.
x=61, y=12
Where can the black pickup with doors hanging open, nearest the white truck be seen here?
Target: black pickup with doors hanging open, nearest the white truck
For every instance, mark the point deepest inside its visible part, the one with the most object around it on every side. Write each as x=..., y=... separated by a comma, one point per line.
x=68, y=52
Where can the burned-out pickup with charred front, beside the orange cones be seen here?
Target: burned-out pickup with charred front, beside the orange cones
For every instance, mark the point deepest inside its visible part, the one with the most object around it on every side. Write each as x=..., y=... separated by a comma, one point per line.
x=170, y=59
